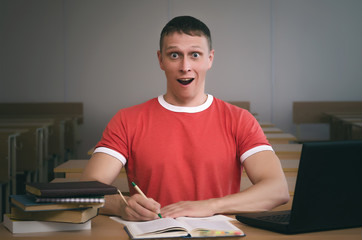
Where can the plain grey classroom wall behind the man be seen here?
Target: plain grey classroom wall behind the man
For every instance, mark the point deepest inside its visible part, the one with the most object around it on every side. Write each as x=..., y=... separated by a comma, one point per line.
x=103, y=53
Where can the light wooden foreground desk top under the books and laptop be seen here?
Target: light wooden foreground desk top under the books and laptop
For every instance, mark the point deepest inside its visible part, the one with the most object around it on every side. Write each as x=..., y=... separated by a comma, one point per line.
x=105, y=228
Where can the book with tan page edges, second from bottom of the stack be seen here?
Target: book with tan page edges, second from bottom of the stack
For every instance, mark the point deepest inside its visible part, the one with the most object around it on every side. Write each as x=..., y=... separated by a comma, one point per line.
x=66, y=216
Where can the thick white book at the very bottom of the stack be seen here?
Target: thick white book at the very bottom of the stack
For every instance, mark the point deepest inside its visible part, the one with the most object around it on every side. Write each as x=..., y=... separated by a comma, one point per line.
x=16, y=226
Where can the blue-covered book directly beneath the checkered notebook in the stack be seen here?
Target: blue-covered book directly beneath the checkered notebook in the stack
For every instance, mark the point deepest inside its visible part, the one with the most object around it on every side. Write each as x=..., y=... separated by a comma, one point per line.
x=28, y=203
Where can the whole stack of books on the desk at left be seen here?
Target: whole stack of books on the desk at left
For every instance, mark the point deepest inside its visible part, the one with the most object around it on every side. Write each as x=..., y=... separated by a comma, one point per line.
x=56, y=206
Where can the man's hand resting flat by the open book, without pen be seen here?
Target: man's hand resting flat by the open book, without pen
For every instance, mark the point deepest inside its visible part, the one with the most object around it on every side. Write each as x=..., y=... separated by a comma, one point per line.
x=202, y=208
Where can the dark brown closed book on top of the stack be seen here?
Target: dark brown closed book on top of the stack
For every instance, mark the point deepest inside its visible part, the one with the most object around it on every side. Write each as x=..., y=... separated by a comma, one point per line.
x=70, y=189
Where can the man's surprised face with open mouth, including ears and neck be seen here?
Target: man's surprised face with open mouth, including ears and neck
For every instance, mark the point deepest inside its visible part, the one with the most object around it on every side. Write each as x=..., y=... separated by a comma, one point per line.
x=185, y=60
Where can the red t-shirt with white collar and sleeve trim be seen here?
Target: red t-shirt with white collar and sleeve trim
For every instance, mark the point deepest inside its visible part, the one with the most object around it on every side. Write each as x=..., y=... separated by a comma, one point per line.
x=183, y=153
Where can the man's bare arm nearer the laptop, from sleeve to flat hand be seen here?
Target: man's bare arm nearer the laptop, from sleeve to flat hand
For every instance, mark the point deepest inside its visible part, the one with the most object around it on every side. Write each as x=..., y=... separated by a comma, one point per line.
x=268, y=191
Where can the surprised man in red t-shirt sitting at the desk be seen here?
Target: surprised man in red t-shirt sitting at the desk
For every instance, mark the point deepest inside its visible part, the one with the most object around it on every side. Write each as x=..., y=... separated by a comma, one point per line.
x=186, y=149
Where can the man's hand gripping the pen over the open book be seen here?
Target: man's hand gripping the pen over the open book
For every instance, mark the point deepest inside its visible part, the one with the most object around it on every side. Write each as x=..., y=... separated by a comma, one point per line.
x=140, y=209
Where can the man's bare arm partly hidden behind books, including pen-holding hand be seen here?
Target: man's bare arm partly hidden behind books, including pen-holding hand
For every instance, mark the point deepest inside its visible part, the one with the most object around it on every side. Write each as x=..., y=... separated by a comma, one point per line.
x=105, y=168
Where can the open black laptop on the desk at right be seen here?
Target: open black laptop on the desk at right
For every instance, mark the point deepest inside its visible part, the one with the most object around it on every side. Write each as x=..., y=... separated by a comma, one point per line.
x=328, y=191
